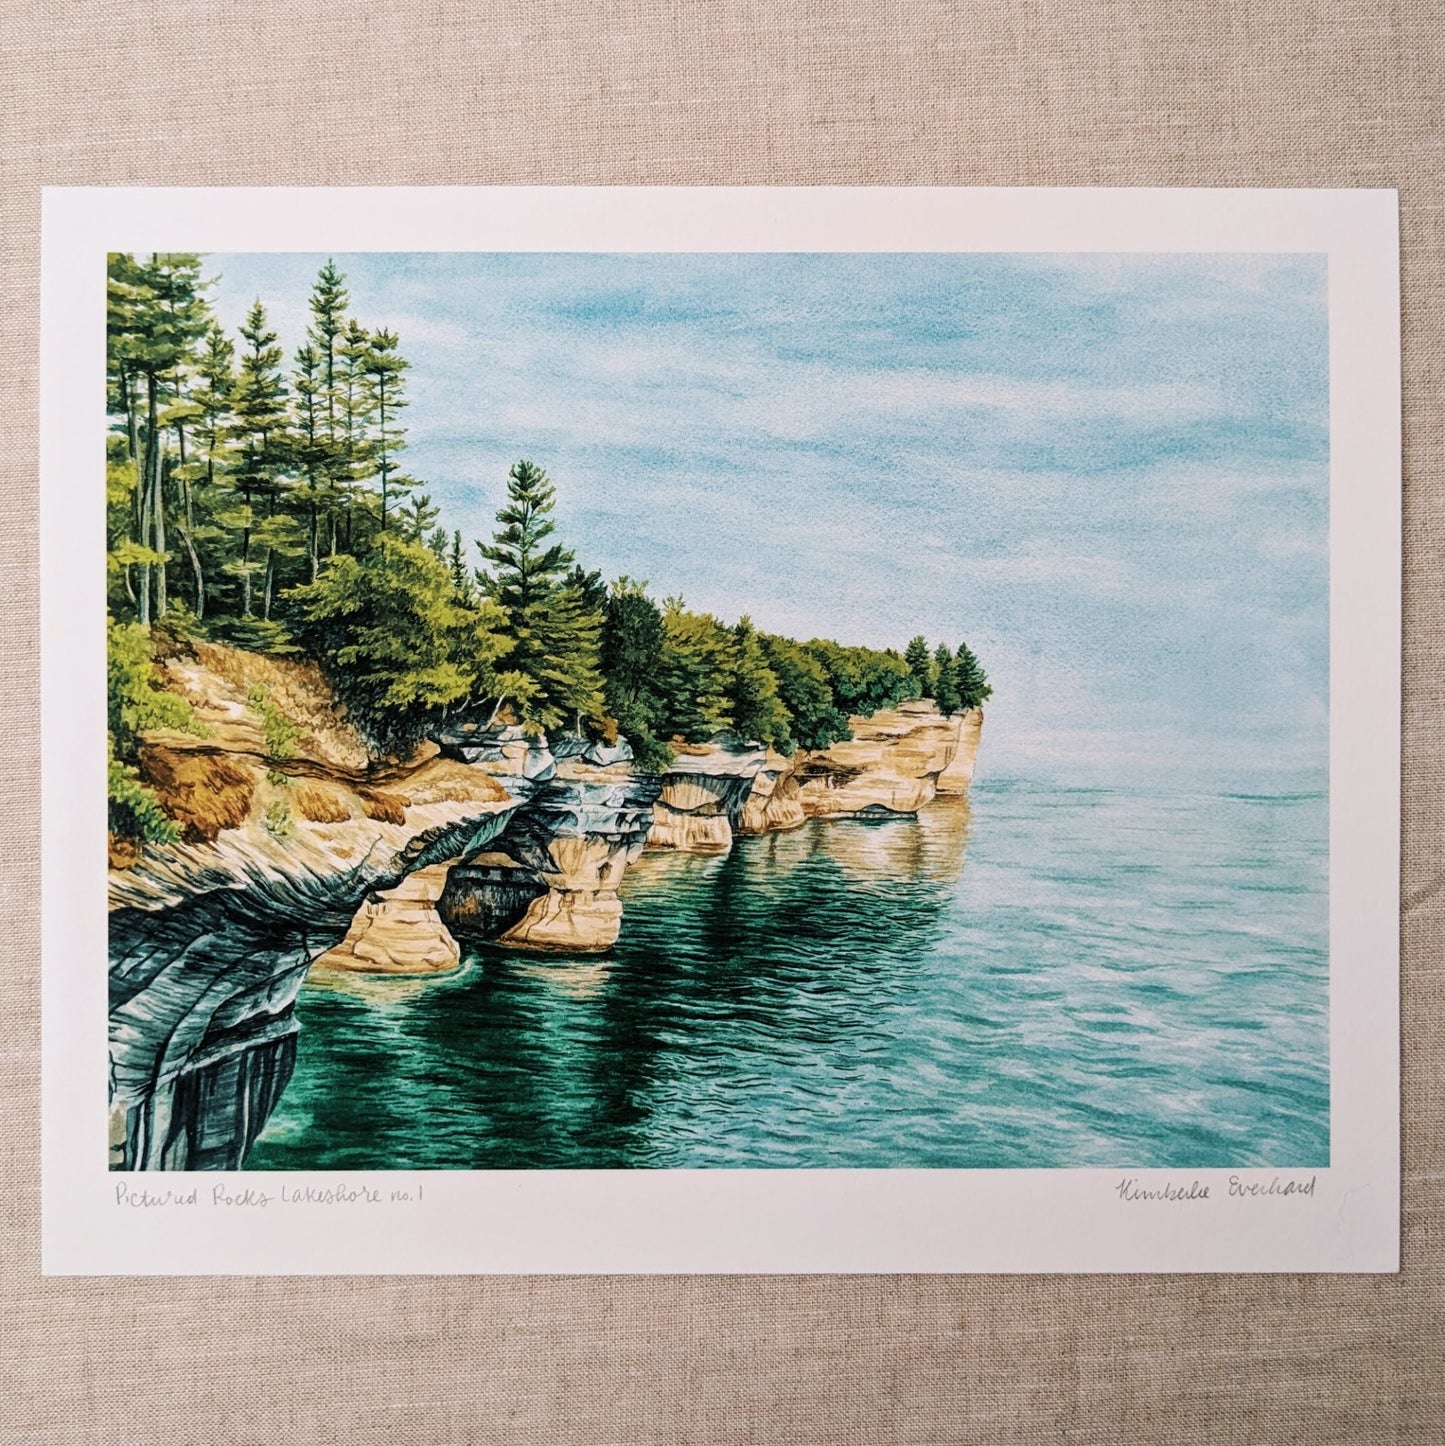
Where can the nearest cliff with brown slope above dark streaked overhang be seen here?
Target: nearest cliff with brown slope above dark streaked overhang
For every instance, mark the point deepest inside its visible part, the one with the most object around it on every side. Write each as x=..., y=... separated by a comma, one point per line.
x=212, y=938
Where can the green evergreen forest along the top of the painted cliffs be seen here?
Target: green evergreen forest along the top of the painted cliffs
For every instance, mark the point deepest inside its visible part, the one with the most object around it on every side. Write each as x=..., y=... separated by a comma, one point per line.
x=265, y=502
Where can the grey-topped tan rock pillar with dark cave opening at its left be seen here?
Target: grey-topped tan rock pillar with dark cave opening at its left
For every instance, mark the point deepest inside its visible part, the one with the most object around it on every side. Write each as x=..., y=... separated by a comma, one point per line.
x=550, y=880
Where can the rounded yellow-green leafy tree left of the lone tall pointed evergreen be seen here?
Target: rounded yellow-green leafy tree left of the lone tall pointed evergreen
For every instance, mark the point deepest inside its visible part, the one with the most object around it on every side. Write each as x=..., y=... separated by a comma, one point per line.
x=400, y=647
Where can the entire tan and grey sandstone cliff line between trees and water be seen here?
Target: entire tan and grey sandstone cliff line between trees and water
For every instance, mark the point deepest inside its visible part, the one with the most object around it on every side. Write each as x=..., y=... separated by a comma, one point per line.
x=299, y=850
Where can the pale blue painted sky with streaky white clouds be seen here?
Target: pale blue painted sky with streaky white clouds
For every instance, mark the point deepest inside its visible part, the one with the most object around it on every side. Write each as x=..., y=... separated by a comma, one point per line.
x=1107, y=474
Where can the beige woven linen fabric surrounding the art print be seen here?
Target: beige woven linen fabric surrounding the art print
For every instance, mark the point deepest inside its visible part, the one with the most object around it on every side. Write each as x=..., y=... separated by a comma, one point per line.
x=666, y=92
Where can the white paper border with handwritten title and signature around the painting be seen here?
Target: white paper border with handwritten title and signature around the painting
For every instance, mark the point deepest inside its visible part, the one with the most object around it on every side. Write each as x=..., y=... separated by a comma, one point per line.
x=731, y=1220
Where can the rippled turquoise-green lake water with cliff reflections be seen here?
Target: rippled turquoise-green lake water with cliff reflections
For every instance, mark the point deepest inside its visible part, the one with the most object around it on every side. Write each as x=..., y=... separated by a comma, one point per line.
x=1045, y=977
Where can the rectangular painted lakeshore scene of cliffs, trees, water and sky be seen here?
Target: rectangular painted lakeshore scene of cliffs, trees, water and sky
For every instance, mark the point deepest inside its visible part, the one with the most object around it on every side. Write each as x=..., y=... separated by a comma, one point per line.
x=665, y=711
